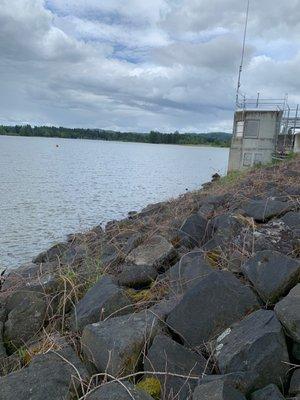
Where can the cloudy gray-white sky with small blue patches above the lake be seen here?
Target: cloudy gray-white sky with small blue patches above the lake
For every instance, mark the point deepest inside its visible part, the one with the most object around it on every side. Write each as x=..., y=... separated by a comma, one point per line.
x=141, y=65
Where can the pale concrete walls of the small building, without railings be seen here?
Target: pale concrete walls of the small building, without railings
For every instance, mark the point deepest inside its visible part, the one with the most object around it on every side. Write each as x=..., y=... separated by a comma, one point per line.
x=245, y=152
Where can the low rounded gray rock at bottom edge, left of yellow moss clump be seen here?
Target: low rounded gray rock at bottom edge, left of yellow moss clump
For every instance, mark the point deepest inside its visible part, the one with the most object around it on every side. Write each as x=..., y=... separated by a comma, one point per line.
x=117, y=391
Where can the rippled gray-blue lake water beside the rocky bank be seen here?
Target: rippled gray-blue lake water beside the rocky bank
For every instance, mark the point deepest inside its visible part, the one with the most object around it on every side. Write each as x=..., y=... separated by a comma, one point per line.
x=47, y=191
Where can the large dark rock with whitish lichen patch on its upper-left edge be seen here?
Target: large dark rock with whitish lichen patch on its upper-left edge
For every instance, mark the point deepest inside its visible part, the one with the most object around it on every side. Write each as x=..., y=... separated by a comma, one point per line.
x=256, y=344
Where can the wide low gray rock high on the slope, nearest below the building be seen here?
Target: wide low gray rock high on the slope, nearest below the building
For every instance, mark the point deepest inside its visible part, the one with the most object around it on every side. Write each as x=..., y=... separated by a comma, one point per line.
x=263, y=210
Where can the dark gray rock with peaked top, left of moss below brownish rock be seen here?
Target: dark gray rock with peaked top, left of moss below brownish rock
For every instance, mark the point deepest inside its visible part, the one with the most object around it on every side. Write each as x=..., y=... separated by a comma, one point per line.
x=102, y=300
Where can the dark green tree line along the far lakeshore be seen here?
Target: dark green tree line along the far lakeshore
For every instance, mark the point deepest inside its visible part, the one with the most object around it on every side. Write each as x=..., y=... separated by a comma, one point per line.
x=221, y=139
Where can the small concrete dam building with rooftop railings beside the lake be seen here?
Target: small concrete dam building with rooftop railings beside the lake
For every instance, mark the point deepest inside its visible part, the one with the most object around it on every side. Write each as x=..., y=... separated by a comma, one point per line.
x=263, y=130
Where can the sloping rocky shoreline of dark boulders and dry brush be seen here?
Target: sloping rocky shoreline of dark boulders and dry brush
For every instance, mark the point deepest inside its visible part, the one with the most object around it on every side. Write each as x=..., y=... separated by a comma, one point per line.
x=195, y=298
